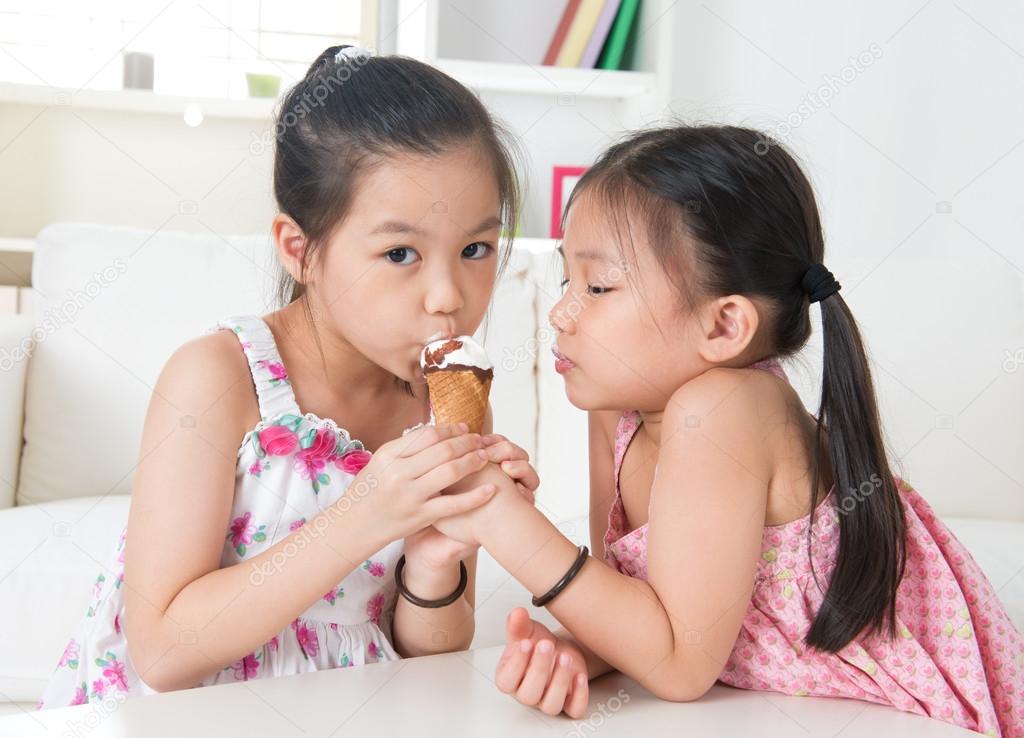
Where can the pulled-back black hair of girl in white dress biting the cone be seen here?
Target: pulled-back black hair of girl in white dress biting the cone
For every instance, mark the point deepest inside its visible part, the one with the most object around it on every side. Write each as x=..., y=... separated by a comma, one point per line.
x=353, y=110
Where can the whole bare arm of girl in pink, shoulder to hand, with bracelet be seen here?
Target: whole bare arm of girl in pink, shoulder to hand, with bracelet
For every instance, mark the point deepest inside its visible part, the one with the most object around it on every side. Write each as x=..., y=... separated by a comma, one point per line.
x=708, y=507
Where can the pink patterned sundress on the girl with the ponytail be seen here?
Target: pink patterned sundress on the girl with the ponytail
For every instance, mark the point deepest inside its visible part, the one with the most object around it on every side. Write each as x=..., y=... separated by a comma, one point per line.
x=958, y=658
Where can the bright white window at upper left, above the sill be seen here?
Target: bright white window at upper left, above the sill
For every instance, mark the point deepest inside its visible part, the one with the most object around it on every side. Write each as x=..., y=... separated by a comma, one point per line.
x=201, y=49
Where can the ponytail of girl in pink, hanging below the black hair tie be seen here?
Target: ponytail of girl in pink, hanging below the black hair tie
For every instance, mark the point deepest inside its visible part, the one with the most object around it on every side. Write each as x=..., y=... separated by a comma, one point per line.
x=871, y=555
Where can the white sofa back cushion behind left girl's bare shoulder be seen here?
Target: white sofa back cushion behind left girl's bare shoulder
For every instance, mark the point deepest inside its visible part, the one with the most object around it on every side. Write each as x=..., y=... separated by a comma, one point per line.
x=114, y=305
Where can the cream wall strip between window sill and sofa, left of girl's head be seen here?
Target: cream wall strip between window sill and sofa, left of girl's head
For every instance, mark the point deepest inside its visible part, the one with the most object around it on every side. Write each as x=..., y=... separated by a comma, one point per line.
x=148, y=170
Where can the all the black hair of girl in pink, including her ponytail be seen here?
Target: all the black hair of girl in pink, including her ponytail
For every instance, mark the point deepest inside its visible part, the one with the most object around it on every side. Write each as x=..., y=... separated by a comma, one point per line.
x=730, y=212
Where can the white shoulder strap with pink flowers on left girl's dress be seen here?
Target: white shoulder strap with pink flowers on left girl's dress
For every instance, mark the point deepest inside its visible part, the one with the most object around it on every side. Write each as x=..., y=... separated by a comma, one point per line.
x=274, y=389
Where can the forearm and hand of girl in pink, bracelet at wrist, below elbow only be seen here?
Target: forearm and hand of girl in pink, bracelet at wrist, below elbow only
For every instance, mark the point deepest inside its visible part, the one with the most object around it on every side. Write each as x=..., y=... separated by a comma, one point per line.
x=620, y=620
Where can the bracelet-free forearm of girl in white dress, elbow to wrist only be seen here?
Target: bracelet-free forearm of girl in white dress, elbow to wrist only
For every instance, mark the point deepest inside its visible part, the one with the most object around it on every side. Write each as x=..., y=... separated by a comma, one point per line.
x=228, y=614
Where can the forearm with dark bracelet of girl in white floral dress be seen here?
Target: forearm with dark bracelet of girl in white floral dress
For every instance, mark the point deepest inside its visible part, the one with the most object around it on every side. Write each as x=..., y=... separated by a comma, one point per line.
x=424, y=631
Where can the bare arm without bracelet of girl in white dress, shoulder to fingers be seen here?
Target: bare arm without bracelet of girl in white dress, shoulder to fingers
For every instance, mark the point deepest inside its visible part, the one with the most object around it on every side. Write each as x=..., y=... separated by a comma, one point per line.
x=185, y=617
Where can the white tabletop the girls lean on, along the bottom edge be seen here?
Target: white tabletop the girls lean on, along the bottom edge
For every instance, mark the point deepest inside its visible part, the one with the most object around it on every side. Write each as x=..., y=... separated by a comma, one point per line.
x=454, y=696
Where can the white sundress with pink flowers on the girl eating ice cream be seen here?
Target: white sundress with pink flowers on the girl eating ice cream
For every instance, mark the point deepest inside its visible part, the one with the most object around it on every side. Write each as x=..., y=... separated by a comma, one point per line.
x=290, y=467
